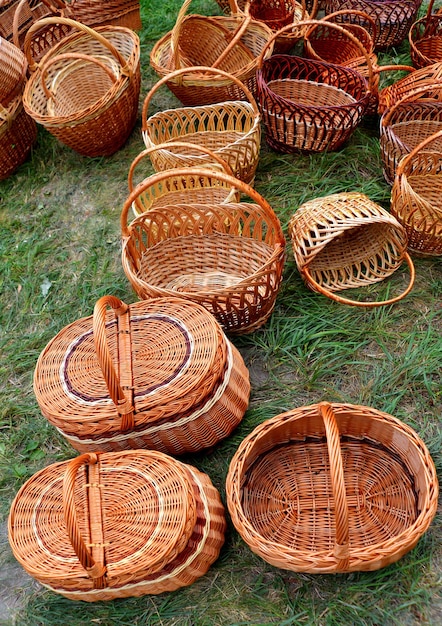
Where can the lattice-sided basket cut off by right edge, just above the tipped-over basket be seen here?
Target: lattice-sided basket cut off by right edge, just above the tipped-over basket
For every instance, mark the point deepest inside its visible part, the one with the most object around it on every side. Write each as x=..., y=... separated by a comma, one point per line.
x=416, y=196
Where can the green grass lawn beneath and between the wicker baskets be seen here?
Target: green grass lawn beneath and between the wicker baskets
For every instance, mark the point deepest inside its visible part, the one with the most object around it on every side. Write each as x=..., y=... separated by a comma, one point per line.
x=60, y=251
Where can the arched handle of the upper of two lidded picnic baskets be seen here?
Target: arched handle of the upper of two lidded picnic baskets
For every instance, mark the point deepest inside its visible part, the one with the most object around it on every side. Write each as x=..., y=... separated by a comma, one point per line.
x=123, y=402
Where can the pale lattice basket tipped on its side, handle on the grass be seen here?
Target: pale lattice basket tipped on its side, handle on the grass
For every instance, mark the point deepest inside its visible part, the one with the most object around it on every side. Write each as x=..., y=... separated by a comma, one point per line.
x=345, y=240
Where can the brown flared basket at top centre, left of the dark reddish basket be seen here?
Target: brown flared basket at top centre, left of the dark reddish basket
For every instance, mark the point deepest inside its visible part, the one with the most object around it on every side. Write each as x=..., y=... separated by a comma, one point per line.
x=232, y=44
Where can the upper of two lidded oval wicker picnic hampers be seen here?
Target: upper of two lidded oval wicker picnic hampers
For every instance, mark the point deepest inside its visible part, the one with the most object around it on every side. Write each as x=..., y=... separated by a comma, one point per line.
x=158, y=374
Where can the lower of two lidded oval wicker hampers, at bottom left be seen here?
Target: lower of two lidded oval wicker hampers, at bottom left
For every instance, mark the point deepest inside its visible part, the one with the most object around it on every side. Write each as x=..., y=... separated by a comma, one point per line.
x=117, y=524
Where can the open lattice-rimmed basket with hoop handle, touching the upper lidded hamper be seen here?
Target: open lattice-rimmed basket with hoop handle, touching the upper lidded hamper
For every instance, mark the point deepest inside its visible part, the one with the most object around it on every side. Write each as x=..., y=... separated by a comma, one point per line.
x=228, y=257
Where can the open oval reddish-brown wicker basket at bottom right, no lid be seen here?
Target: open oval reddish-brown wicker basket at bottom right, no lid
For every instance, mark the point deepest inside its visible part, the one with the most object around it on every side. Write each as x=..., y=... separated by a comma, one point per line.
x=332, y=488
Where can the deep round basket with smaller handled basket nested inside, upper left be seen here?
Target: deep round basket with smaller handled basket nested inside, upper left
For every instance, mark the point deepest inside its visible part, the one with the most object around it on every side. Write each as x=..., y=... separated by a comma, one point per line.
x=85, y=90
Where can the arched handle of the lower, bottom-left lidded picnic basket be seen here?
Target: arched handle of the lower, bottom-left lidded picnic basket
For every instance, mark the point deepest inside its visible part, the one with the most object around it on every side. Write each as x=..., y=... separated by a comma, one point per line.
x=95, y=570
